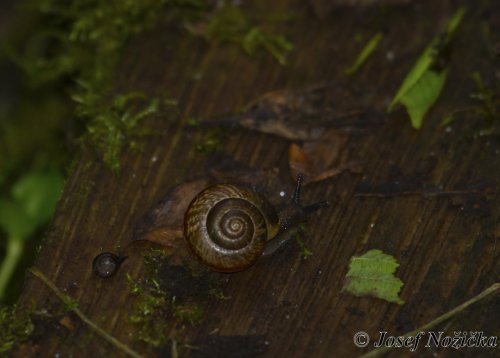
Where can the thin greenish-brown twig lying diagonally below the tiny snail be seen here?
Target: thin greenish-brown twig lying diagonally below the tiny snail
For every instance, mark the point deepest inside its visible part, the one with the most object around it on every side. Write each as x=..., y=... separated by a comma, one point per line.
x=71, y=304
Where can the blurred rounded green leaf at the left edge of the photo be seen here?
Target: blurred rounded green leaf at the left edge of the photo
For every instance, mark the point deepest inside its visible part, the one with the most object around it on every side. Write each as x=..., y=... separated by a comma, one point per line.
x=33, y=201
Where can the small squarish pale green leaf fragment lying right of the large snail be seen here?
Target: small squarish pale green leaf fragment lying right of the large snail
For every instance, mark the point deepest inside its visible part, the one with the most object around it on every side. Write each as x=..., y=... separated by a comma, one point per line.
x=373, y=274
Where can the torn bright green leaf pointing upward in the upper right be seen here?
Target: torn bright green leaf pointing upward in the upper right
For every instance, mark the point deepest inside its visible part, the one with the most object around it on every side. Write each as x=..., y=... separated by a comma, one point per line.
x=423, y=84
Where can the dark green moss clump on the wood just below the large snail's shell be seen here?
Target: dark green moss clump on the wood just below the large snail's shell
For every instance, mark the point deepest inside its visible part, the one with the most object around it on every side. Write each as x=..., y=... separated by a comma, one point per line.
x=169, y=300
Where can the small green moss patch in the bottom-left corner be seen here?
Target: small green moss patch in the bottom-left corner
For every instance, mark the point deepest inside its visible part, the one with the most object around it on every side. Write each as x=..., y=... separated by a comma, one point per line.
x=14, y=328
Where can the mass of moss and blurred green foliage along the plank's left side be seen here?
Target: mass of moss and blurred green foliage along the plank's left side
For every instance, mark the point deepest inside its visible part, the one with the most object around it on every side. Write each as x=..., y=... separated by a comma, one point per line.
x=60, y=48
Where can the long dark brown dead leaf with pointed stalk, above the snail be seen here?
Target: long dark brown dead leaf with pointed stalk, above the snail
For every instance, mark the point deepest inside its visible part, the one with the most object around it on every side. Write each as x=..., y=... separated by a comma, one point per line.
x=306, y=114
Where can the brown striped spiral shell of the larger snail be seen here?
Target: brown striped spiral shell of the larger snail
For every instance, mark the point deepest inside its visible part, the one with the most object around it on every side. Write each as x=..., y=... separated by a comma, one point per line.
x=227, y=226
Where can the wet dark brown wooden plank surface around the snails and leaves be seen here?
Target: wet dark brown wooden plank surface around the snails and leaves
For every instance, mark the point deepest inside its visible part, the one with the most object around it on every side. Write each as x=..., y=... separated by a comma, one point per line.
x=285, y=305
